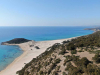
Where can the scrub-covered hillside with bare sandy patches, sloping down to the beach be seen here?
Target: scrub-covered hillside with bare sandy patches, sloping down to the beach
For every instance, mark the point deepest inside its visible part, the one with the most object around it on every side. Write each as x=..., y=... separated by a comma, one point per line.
x=80, y=56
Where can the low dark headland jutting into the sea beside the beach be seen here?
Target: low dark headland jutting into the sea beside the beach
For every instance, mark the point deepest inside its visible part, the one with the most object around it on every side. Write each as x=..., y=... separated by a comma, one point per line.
x=15, y=41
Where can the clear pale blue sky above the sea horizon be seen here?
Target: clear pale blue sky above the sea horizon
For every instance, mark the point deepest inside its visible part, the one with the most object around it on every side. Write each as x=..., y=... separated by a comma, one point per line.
x=49, y=12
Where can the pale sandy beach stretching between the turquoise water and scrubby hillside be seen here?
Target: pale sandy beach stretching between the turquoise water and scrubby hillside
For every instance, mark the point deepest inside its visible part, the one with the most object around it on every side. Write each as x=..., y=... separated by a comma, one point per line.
x=28, y=55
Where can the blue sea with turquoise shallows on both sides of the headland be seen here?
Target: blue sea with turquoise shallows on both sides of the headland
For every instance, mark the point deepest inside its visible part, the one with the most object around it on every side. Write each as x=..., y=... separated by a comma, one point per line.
x=9, y=53
